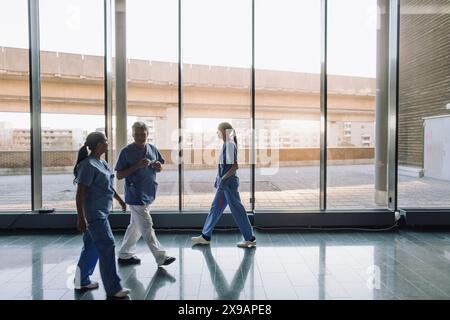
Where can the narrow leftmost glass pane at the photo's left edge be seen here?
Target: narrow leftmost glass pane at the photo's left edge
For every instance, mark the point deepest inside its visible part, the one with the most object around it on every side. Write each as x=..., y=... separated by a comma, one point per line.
x=15, y=179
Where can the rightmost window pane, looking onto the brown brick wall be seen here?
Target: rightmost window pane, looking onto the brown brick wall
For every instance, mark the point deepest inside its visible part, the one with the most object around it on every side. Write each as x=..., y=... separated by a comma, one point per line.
x=424, y=105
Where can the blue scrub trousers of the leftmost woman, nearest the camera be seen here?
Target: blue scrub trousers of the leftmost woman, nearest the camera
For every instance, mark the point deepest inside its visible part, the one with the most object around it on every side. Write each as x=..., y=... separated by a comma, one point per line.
x=99, y=245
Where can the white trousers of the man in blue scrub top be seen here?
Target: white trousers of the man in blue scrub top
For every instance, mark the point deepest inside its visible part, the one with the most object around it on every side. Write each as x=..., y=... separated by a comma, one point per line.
x=141, y=224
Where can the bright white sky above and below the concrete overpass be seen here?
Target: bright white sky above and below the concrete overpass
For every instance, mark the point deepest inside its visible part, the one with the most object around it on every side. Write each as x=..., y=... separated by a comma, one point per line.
x=214, y=32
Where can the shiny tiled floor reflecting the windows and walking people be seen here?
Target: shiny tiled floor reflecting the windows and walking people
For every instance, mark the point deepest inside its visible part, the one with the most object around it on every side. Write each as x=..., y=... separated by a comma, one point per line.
x=285, y=265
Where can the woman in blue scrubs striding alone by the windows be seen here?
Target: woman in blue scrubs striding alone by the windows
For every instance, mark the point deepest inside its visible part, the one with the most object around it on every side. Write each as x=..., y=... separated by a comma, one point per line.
x=227, y=183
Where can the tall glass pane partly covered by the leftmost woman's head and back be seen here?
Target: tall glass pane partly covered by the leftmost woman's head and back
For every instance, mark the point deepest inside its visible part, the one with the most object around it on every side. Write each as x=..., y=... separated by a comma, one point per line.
x=72, y=82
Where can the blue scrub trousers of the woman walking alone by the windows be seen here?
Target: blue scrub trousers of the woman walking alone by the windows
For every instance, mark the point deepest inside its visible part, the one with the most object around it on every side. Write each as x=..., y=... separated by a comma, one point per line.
x=227, y=194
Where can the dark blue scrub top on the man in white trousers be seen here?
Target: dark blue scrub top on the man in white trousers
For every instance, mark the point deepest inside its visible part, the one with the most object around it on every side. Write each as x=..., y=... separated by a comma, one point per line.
x=141, y=186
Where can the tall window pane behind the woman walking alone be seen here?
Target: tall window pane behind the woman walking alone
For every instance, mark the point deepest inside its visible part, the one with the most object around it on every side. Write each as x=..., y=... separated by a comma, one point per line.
x=216, y=88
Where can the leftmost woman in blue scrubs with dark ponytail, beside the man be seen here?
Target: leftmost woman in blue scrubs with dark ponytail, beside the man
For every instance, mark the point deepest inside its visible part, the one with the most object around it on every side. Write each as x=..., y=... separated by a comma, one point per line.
x=94, y=197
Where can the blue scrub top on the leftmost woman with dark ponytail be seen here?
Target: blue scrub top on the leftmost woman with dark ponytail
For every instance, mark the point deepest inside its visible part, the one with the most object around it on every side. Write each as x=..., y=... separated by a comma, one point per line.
x=98, y=178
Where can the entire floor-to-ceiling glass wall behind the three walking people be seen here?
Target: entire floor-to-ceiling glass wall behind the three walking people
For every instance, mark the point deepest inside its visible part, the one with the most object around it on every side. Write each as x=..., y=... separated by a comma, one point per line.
x=216, y=86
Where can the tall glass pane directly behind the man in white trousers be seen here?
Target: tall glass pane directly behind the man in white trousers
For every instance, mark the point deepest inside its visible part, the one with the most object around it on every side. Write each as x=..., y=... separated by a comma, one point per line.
x=153, y=85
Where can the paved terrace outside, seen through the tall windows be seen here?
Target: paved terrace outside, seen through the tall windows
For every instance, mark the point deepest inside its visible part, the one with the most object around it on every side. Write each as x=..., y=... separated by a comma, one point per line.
x=350, y=187
